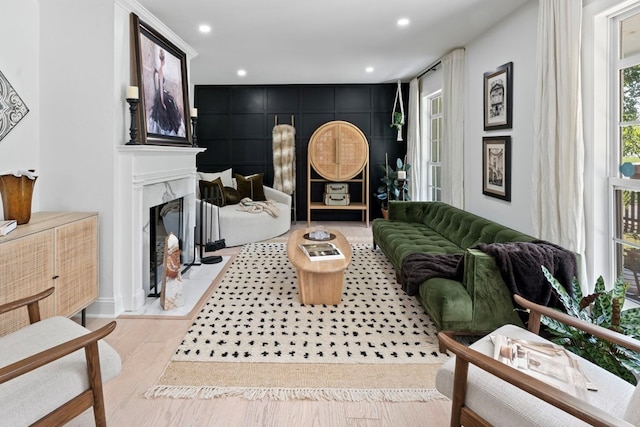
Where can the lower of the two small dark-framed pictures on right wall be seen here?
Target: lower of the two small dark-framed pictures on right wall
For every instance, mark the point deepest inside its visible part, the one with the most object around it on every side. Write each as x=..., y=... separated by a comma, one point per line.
x=496, y=167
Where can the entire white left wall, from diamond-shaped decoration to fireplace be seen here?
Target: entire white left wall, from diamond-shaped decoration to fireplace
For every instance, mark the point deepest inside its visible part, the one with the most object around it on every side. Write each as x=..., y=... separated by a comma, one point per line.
x=70, y=62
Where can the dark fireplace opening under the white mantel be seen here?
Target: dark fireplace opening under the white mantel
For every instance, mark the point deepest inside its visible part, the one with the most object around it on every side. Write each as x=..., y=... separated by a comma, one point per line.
x=163, y=219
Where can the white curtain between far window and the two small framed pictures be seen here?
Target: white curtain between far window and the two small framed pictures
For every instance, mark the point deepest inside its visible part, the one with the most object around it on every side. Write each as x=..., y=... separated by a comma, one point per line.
x=453, y=128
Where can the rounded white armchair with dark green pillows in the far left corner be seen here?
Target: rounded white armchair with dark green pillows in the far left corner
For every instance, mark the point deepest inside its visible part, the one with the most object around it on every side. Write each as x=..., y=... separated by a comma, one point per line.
x=237, y=227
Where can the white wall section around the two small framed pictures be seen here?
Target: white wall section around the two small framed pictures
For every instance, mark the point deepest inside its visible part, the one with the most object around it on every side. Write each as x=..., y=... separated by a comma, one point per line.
x=512, y=40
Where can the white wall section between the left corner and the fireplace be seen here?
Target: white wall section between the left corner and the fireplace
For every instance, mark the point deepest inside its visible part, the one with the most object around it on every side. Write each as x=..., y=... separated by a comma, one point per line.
x=78, y=111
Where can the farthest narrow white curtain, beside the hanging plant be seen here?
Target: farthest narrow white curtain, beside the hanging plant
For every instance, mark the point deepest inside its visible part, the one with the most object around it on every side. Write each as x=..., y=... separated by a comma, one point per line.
x=414, y=146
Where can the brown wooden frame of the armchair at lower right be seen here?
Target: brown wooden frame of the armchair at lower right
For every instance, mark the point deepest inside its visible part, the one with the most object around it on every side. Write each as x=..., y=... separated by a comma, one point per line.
x=463, y=415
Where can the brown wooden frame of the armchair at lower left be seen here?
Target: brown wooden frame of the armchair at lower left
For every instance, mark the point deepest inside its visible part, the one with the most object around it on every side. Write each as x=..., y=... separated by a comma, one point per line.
x=90, y=398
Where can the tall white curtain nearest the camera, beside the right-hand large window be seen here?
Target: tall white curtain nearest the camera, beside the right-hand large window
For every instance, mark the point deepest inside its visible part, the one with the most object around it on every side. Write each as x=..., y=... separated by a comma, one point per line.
x=558, y=158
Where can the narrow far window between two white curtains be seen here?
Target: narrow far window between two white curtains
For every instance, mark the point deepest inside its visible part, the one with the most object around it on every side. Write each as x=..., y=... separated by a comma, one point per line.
x=433, y=136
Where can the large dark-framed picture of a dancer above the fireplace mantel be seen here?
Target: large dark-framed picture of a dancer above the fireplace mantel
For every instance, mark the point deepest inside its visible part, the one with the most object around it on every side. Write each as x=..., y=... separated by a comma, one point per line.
x=160, y=72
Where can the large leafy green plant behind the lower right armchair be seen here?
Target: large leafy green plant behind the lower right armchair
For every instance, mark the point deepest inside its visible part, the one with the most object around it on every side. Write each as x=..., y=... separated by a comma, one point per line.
x=603, y=308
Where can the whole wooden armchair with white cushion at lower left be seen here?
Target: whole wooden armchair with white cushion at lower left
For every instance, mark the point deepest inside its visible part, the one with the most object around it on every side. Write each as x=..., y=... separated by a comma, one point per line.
x=53, y=369
